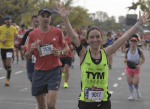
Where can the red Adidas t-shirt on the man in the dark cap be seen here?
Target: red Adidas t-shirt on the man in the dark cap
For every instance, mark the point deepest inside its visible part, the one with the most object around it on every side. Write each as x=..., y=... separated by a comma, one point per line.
x=55, y=37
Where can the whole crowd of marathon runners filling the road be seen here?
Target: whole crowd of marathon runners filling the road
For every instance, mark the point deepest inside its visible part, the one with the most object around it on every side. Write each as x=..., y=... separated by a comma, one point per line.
x=49, y=52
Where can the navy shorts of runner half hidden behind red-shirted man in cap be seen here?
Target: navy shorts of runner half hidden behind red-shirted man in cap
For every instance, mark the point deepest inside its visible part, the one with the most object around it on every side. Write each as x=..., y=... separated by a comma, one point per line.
x=30, y=69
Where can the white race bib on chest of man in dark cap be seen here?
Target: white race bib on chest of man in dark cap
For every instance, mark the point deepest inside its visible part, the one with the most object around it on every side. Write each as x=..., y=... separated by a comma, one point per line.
x=45, y=50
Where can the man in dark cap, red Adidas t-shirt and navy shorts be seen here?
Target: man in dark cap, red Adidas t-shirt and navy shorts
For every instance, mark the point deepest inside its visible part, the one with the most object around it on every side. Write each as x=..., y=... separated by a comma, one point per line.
x=44, y=42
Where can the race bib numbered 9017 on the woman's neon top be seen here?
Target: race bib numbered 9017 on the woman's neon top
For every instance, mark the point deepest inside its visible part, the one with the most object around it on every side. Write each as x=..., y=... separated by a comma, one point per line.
x=95, y=94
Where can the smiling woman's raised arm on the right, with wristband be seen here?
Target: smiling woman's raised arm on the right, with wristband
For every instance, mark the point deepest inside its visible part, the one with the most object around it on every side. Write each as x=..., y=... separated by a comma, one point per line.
x=142, y=19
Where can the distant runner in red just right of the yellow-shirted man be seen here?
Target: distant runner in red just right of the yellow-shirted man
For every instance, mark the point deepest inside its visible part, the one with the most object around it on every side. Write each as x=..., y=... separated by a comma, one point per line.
x=17, y=42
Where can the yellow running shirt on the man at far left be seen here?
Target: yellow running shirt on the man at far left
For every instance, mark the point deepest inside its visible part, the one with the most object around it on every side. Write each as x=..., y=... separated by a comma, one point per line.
x=9, y=34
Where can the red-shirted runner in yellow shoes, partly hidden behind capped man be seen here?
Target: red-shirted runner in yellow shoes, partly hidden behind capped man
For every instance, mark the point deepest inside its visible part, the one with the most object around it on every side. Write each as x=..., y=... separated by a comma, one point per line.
x=66, y=59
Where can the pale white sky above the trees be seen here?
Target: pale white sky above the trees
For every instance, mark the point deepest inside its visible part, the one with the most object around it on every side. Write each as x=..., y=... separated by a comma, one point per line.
x=112, y=7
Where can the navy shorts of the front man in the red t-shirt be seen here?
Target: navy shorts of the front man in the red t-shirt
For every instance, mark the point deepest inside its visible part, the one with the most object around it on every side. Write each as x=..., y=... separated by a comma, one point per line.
x=43, y=81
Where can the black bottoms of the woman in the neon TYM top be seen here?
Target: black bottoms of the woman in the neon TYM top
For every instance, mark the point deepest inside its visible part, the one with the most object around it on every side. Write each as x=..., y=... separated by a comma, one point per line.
x=94, y=105
